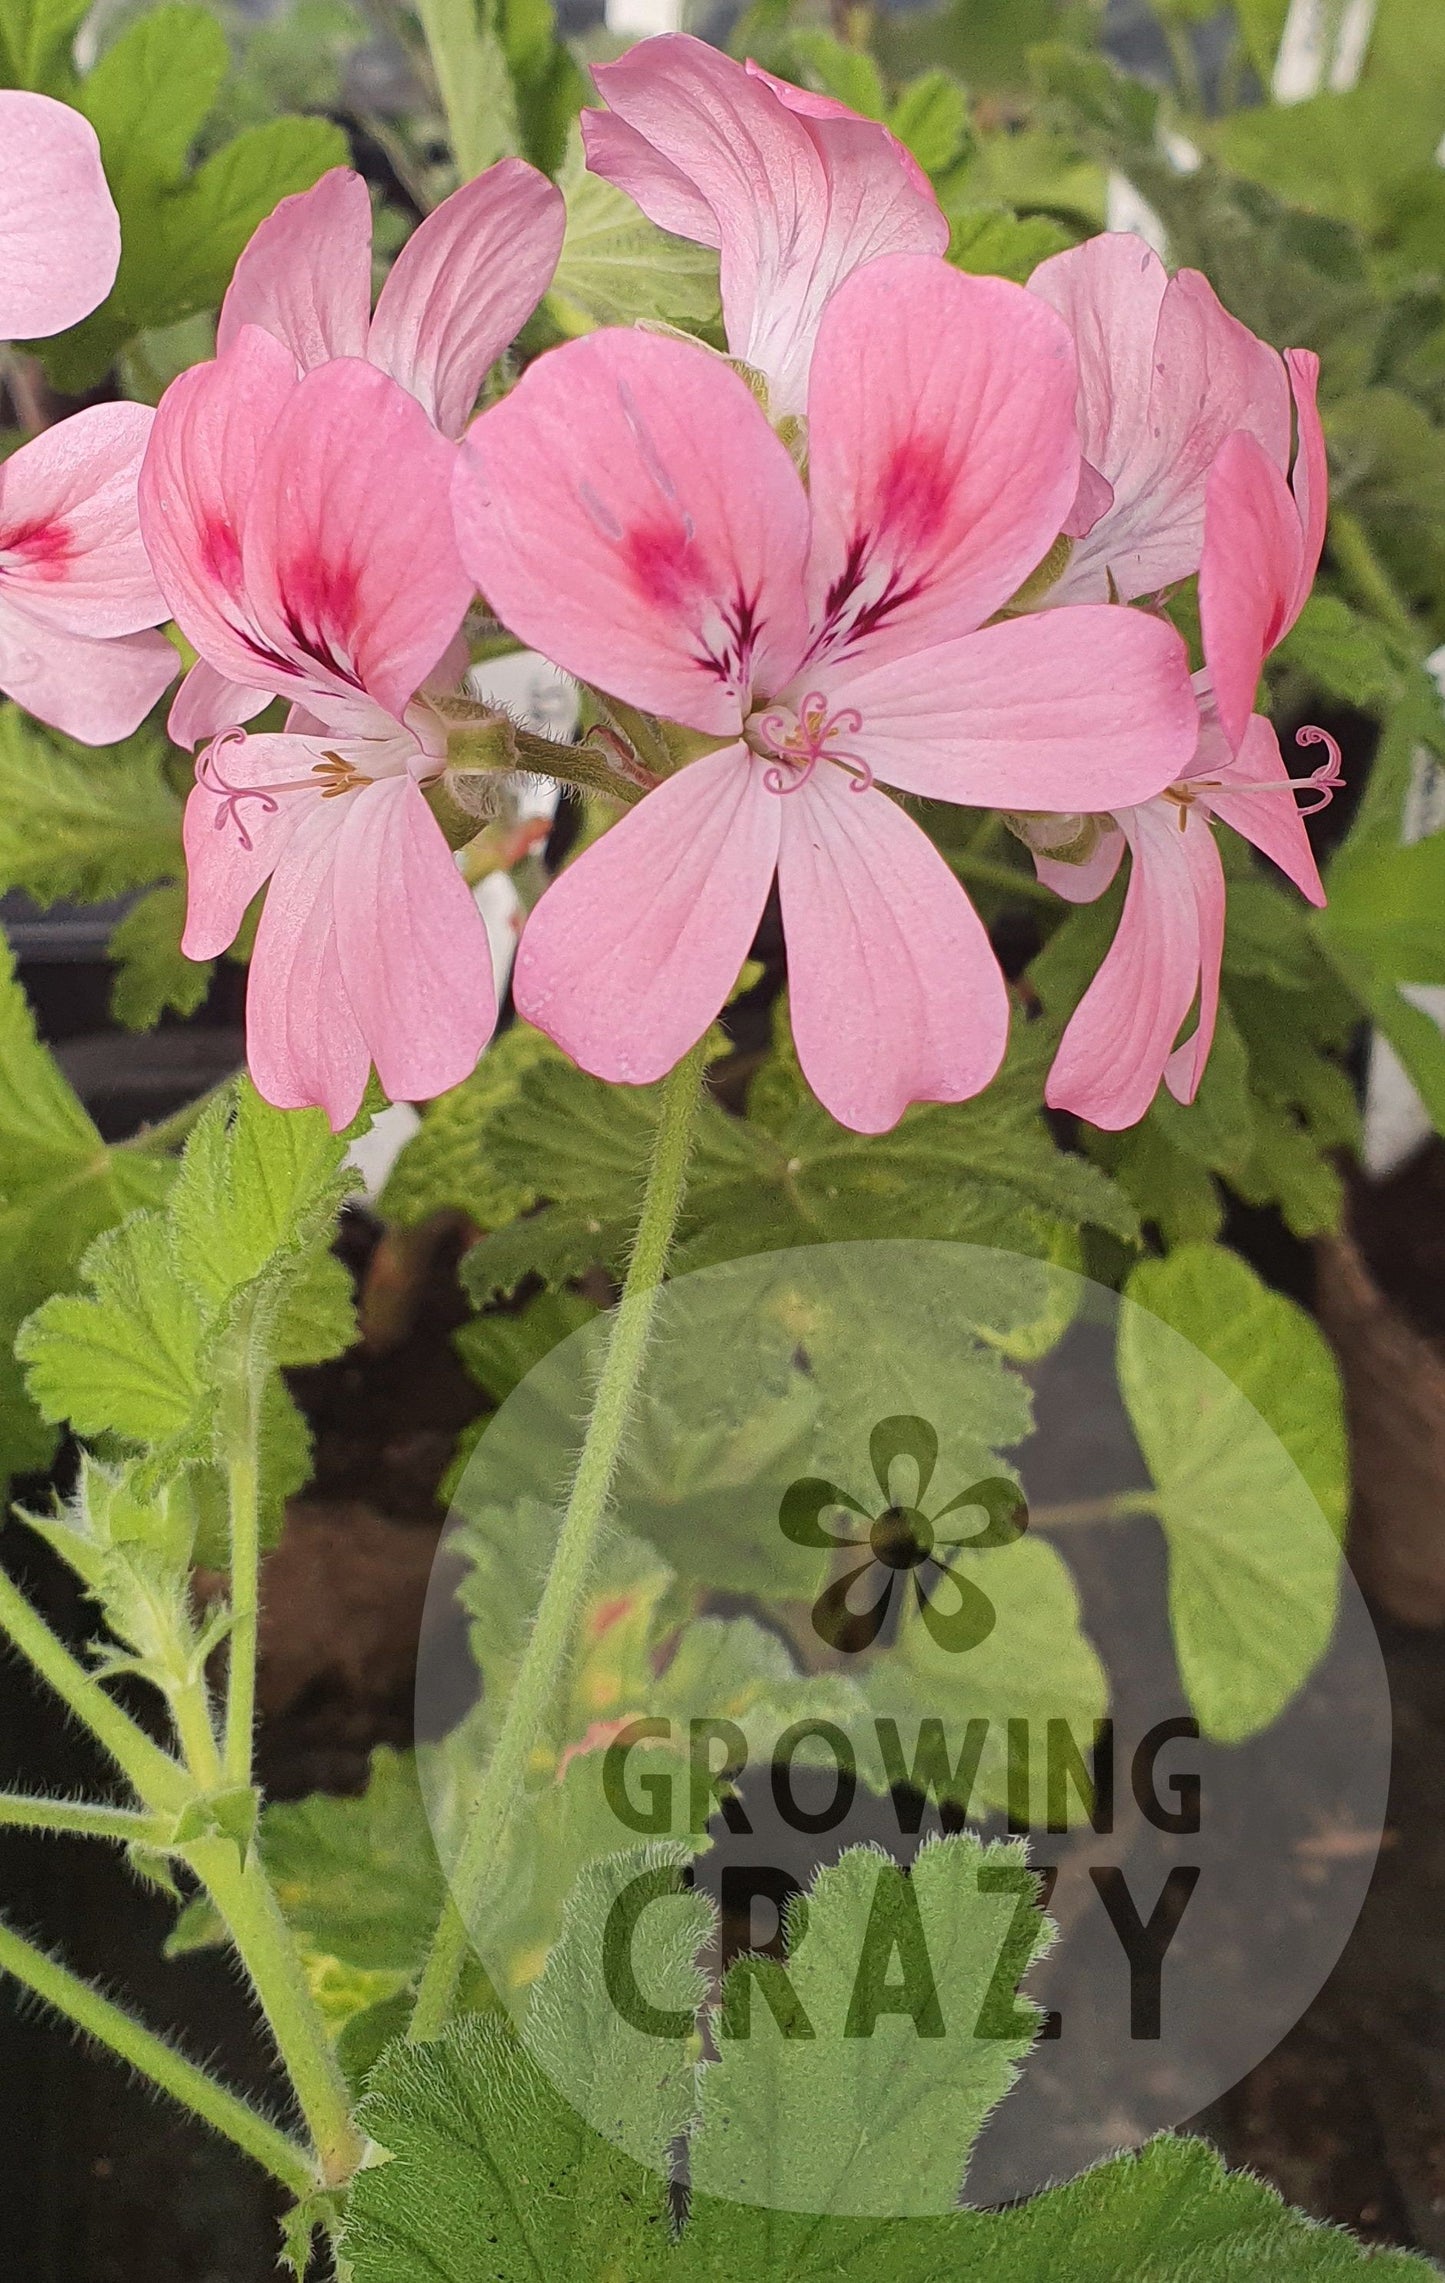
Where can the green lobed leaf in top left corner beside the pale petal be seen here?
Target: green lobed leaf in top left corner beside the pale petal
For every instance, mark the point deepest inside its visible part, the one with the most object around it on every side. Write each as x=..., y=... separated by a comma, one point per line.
x=181, y=227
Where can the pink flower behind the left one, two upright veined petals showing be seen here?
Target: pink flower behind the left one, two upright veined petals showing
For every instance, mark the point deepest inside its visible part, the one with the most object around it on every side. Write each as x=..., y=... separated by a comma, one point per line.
x=460, y=291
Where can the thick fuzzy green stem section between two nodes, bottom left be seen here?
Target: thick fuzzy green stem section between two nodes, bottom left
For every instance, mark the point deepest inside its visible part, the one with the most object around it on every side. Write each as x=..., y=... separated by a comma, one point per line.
x=264, y=1942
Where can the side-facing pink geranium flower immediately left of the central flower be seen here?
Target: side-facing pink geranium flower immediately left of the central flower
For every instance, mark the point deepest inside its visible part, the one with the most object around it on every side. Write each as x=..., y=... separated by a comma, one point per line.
x=300, y=533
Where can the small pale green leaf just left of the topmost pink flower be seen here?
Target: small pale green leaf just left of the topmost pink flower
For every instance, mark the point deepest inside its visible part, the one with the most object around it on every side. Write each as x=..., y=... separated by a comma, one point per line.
x=620, y=268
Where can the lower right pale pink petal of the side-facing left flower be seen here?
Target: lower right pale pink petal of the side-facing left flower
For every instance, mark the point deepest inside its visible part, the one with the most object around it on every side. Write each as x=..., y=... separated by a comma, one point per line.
x=412, y=944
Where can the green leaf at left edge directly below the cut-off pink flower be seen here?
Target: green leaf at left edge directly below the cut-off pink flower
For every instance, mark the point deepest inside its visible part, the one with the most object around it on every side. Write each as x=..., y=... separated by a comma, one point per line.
x=83, y=823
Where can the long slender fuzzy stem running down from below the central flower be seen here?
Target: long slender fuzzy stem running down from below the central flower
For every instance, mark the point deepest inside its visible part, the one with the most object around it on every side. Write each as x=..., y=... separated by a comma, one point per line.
x=576, y=1547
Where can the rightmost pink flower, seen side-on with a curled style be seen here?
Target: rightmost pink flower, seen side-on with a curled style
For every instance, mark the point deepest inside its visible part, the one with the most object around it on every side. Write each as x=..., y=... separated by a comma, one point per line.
x=1261, y=551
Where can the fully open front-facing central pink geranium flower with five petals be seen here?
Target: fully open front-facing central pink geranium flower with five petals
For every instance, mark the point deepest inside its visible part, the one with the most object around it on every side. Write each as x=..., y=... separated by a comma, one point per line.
x=631, y=513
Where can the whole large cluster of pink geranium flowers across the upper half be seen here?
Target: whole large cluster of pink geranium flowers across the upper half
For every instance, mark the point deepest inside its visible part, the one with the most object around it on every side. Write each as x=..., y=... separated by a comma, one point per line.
x=912, y=535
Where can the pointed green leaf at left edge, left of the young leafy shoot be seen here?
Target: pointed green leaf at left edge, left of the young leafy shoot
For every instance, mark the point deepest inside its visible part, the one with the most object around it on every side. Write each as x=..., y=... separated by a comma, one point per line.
x=60, y=1186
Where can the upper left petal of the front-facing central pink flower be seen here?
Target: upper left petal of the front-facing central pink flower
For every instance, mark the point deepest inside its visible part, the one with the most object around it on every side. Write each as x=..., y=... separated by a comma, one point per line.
x=629, y=513
